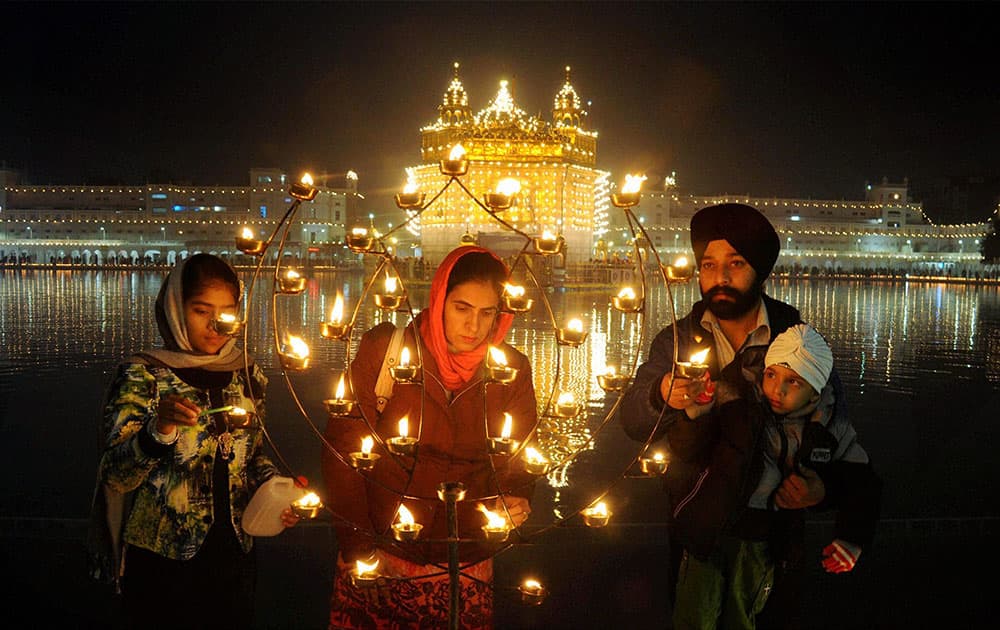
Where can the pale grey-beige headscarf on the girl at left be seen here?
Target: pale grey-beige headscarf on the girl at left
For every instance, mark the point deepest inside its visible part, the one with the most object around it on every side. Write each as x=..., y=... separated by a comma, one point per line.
x=177, y=351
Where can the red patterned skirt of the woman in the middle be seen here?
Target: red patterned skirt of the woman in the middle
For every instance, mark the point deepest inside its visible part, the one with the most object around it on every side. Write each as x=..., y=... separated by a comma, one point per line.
x=411, y=595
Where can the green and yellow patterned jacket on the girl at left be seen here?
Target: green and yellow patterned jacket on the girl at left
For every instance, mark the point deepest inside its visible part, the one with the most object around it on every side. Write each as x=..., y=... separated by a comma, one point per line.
x=172, y=506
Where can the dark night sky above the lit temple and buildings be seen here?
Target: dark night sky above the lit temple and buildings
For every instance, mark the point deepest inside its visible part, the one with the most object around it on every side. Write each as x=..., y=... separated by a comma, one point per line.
x=786, y=99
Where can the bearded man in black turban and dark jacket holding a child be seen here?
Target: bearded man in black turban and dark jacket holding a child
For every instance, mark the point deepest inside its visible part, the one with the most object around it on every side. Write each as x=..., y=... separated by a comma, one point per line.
x=736, y=557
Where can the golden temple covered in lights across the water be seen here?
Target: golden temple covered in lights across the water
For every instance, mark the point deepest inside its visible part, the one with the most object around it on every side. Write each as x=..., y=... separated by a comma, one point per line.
x=561, y=190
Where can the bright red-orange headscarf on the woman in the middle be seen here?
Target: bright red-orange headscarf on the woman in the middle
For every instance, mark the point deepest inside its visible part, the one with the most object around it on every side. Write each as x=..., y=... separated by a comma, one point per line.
x=456, y=368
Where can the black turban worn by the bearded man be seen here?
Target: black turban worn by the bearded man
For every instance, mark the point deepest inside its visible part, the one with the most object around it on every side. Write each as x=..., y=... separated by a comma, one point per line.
x=746, y=229
